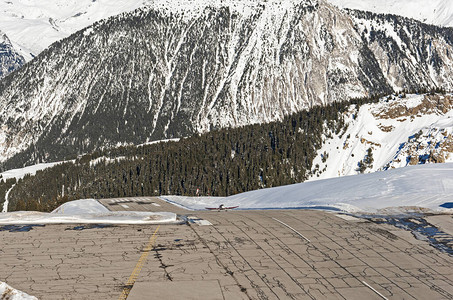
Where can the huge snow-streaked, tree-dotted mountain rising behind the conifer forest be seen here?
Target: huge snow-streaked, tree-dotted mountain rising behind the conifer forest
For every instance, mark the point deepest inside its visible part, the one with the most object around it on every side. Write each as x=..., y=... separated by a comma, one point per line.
x=177, y=68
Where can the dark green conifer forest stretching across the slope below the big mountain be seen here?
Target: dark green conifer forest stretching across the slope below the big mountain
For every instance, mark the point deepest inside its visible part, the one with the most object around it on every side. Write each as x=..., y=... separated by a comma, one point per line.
x=219, y=163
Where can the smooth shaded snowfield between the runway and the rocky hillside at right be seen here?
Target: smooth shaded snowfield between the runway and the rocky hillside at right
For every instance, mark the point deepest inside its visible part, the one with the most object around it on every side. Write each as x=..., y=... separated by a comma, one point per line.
x=412, y=189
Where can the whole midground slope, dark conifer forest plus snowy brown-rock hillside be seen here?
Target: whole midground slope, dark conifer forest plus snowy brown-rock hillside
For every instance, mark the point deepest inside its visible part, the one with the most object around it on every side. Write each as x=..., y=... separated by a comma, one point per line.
x=234, y=160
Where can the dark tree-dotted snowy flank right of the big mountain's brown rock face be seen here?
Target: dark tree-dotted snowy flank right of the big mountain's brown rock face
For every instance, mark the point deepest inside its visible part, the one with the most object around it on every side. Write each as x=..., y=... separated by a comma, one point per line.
x=410, y=54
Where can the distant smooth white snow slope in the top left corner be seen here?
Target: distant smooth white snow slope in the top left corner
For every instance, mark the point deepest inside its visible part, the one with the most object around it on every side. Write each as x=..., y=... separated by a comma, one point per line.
x=32, y=25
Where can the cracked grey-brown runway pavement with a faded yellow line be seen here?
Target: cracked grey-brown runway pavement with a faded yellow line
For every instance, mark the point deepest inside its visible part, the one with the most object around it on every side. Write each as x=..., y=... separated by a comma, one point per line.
x=272, y=254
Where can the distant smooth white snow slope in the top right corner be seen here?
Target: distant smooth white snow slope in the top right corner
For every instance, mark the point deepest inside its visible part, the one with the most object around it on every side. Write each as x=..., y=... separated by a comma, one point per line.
x=437, y=12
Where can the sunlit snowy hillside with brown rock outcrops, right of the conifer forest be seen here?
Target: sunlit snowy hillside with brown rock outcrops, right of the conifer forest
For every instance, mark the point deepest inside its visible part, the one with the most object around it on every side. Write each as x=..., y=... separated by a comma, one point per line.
x=396, y=132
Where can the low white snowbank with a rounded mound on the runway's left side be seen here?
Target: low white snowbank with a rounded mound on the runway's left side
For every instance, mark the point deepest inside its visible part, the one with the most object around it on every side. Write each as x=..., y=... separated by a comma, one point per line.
x=86, y=211
